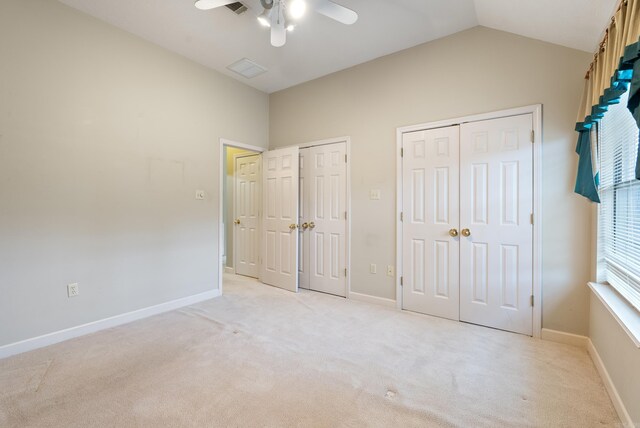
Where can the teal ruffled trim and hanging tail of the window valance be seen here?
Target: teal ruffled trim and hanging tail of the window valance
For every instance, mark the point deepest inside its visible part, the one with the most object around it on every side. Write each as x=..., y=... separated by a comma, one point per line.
x=625, y=78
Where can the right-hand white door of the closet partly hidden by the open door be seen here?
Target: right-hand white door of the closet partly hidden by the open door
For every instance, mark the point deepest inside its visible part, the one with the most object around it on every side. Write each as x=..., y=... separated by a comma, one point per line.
x=326, y=172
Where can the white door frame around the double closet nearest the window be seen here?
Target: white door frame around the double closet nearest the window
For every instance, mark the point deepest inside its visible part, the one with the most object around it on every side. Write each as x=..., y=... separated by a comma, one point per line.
x=536, y=112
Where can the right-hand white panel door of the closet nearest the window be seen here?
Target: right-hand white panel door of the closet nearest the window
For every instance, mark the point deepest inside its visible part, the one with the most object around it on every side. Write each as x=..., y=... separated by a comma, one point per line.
x=496, y=204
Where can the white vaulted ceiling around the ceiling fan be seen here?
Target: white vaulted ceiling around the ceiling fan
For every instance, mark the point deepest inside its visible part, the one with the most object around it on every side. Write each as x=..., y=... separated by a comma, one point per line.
x=320, y=46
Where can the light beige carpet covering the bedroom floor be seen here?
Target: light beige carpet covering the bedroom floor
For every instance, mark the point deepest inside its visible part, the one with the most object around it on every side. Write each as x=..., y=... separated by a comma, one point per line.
x=259, y=356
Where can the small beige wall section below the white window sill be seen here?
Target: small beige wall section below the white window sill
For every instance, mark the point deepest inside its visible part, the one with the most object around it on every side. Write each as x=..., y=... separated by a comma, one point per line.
x=619, y=355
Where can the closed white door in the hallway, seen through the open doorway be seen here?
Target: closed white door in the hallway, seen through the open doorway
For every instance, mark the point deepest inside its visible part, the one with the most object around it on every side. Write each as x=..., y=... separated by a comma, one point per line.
x=248, y=181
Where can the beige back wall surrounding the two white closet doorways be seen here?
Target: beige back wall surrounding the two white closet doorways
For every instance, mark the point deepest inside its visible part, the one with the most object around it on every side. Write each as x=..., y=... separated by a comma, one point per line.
x=479, y=70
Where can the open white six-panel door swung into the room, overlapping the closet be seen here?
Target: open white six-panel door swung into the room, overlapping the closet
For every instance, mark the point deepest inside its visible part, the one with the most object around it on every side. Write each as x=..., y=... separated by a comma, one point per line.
x=280, y=216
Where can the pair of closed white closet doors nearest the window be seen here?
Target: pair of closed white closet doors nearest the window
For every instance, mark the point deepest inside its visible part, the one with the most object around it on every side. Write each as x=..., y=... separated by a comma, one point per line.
x=467, y=235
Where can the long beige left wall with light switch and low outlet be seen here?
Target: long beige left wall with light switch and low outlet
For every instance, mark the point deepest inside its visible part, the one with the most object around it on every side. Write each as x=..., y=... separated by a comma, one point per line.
x=104, y=139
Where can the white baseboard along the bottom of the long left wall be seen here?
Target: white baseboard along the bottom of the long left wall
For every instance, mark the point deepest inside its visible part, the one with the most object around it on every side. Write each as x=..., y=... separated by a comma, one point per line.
x=92, y=327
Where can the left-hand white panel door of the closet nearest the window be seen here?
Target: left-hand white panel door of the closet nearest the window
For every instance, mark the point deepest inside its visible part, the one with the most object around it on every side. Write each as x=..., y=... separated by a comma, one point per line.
x=430, y=210
